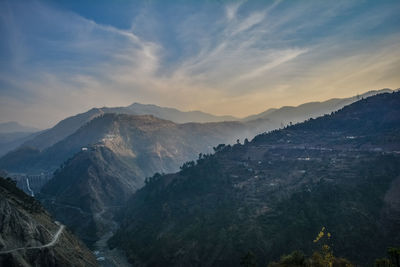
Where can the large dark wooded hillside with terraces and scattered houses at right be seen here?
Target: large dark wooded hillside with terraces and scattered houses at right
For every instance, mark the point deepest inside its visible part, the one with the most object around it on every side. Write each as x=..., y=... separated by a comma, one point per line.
x=272, y=195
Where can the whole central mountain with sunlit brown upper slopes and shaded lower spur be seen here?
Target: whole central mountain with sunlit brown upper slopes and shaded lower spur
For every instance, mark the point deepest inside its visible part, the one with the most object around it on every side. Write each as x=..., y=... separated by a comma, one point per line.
x=119, y=152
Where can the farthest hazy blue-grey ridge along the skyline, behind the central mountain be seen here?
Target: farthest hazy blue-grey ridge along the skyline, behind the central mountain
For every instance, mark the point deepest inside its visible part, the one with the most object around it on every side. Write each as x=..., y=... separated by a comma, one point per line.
x=19, y=159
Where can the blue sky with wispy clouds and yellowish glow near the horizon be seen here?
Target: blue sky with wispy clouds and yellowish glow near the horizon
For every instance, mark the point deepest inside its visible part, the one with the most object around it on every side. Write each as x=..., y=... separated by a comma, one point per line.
x=60, y=58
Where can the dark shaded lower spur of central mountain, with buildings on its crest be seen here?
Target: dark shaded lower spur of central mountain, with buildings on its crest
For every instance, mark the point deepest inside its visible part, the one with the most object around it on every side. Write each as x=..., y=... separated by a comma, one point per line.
x=86, y=191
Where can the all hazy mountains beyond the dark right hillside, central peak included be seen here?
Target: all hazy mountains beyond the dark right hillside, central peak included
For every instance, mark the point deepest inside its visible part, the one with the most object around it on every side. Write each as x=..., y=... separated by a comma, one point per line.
x=103, y=156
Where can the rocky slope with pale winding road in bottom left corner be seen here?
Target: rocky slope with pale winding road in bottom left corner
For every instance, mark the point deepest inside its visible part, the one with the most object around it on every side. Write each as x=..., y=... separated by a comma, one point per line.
x=29, y=236
